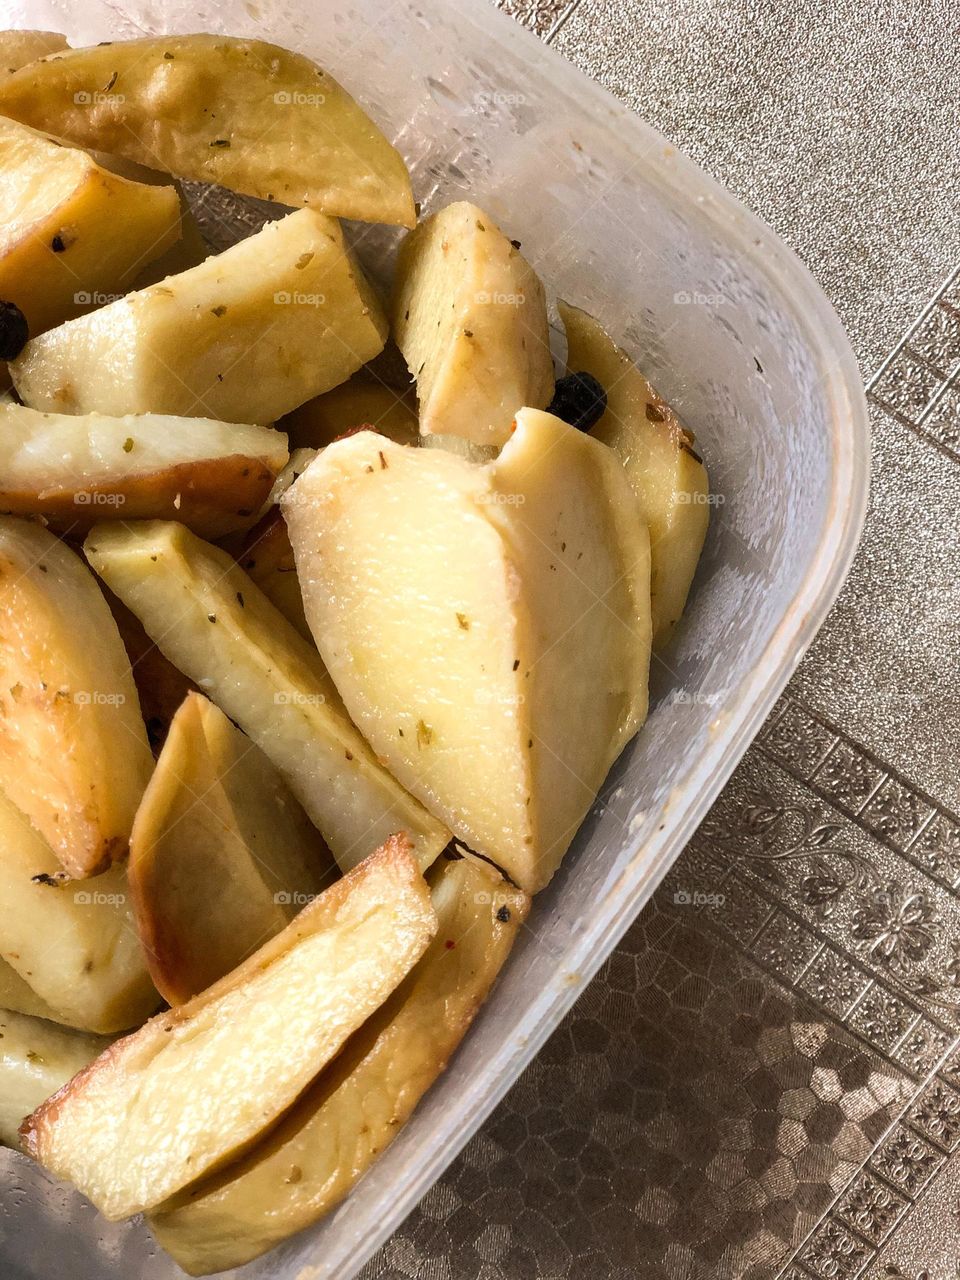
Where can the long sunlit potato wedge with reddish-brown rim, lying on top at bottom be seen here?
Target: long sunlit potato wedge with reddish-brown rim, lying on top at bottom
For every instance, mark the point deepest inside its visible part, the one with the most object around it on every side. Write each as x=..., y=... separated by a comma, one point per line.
x=196, y=1086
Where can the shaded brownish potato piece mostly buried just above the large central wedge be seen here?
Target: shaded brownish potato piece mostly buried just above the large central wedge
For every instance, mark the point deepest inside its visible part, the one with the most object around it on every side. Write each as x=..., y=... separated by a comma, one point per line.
x=362, y=401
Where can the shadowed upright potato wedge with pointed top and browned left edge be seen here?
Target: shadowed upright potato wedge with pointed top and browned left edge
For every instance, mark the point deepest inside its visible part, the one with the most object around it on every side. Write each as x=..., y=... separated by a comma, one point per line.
x=217, y=815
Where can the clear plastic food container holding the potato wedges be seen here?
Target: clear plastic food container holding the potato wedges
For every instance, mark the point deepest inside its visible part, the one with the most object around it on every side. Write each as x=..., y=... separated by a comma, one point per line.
x=735, y=333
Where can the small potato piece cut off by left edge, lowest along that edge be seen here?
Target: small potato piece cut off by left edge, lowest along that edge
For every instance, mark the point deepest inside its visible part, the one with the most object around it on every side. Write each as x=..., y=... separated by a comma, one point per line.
x=36, y=1060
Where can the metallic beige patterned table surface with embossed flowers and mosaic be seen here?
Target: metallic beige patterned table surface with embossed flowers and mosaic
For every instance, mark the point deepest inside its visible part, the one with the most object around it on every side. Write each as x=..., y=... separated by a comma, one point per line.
x=770, y=1087
